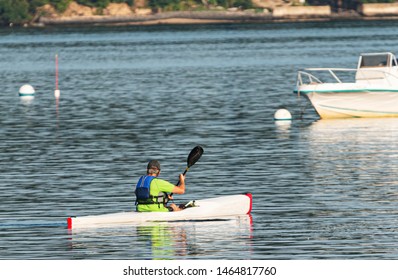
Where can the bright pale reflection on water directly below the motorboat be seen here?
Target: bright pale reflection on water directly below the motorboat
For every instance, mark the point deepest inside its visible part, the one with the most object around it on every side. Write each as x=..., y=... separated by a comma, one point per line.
x=354, y=152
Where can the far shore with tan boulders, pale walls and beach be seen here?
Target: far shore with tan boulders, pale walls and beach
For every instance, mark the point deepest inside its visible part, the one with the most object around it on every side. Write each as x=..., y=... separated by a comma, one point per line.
x=122, y=14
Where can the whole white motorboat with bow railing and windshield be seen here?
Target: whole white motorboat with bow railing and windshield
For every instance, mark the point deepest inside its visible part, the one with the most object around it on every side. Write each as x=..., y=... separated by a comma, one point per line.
x=372, y=92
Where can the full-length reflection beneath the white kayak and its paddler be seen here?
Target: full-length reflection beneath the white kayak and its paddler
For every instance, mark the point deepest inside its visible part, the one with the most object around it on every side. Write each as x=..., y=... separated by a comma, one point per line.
x=191, y=239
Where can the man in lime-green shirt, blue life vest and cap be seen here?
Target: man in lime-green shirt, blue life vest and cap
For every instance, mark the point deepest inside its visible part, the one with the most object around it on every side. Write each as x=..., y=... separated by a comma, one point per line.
x=152, y=193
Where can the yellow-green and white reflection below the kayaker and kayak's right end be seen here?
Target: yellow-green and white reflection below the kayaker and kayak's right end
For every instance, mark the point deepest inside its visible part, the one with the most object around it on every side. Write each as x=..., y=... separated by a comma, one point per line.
x=193, y=239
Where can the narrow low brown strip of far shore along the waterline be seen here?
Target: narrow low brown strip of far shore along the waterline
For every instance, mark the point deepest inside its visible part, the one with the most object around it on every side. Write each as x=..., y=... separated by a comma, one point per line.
x=198, y=18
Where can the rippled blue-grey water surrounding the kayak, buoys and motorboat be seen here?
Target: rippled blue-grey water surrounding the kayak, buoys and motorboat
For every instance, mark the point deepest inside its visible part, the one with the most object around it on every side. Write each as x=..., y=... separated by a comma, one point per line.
x=322, y=189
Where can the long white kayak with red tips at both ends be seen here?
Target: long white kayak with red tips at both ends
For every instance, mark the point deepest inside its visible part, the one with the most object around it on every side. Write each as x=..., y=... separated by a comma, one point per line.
x=204, y=209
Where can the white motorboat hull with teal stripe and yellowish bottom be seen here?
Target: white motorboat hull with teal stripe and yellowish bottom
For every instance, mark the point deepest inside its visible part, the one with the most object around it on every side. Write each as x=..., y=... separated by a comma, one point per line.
x=349, y=103
